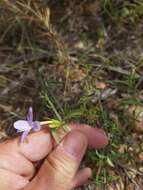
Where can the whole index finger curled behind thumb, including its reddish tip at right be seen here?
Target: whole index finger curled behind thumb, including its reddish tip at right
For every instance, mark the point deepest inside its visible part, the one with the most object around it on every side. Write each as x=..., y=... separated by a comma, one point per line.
x=39, y=144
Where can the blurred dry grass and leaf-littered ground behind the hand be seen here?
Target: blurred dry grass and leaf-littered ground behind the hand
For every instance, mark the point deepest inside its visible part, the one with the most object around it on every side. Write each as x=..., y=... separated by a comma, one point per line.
x=81, y=61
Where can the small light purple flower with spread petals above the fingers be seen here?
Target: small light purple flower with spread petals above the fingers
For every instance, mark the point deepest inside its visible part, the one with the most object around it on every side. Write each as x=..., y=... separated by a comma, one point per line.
x=25, y=126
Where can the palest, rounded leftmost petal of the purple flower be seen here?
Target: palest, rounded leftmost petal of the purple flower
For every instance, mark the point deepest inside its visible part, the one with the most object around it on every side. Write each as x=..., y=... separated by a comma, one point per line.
x=22, y=125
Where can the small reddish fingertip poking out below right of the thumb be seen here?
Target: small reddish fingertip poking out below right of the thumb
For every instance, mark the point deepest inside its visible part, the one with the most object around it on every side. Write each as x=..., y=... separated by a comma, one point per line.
x=82, y=177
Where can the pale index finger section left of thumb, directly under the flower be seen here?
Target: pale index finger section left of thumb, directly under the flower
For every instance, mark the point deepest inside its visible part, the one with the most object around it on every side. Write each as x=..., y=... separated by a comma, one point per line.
x=36, y=147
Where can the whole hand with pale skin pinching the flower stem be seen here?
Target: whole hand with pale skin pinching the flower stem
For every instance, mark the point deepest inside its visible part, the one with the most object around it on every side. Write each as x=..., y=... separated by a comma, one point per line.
x=59, y=169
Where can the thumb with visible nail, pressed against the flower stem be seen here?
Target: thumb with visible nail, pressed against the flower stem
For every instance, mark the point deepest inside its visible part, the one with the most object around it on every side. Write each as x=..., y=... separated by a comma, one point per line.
x=60, y=167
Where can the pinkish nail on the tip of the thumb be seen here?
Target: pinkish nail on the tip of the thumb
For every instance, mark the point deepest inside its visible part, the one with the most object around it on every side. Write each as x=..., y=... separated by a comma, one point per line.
x=75, y=143
